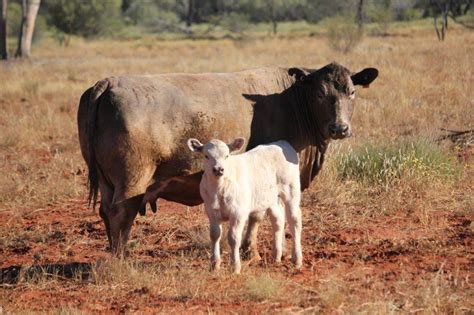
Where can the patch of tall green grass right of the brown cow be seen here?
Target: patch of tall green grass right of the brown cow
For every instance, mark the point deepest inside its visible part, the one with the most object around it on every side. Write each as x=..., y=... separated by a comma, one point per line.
x=387, y=163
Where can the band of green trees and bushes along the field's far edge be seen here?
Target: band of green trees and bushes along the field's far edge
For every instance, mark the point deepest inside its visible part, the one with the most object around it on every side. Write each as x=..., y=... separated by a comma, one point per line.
x=90, y=18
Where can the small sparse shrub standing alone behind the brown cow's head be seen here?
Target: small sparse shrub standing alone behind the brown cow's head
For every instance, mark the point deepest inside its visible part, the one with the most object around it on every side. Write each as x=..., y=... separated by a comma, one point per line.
x=343, y=33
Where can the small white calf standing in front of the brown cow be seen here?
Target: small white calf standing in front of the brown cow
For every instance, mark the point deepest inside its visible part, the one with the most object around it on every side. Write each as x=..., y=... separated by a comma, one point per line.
x=234, y=187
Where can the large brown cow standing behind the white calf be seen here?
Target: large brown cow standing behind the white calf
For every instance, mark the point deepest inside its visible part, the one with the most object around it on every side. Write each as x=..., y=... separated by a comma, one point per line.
x=133, y=130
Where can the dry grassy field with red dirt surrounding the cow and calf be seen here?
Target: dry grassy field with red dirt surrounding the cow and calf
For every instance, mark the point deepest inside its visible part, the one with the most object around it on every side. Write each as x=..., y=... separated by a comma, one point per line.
x=387, y=224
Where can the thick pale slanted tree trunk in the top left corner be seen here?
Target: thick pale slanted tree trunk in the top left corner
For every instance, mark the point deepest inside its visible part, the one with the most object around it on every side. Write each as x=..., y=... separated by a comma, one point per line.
x=29, y=12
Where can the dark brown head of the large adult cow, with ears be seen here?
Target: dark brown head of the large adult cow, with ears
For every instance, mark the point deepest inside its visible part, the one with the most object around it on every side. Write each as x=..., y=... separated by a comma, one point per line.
x=332, y=93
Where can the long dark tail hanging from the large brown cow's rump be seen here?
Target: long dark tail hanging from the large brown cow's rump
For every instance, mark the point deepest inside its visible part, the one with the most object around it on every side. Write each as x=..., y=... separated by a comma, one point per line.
x=91, y=127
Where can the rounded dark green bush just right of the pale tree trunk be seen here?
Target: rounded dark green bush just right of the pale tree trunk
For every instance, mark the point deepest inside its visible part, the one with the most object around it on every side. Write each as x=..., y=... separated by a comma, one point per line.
x=87, y=18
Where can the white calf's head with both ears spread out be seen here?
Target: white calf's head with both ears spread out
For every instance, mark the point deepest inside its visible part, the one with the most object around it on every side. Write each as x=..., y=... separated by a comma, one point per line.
x=216, y=153
